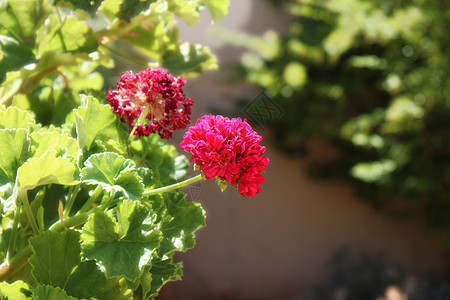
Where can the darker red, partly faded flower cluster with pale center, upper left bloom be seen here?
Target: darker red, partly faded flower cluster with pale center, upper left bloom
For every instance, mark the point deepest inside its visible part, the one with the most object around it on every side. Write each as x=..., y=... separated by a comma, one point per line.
x=156, y=92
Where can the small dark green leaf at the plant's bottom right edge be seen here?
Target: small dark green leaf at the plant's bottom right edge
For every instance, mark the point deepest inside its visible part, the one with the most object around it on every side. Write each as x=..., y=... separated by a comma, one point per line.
x=163, y=270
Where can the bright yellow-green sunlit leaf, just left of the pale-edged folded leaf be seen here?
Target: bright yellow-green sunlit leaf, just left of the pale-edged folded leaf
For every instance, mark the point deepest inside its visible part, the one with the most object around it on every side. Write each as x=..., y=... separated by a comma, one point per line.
x=45, y=170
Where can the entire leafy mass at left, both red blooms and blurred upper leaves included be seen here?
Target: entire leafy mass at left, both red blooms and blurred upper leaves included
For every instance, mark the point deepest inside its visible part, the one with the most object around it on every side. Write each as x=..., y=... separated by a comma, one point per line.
x=91, y=206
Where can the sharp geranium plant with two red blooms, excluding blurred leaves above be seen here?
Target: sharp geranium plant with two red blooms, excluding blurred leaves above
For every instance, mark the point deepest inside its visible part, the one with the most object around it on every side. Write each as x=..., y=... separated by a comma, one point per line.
x=91, y=208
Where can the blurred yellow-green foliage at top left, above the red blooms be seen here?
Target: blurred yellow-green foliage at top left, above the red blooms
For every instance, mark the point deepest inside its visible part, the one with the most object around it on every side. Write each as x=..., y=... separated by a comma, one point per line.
x=51, y=50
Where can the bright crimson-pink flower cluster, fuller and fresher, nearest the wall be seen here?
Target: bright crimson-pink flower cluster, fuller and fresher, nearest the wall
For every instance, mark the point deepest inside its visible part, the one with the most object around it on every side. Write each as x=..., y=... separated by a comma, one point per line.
x=229, y=150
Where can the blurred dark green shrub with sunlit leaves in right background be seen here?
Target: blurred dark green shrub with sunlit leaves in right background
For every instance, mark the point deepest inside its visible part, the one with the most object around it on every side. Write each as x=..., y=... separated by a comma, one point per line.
x=370, y=78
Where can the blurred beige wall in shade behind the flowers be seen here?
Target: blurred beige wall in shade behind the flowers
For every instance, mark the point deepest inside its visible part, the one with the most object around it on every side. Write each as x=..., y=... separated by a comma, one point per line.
x=276, y=245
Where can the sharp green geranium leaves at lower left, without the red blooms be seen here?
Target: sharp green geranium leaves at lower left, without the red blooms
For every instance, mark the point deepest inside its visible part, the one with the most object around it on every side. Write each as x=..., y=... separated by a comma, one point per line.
x=126, y=245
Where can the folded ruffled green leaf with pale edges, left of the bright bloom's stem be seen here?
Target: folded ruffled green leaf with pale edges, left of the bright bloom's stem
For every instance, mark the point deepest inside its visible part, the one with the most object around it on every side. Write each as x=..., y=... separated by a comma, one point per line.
x=113, y=172
